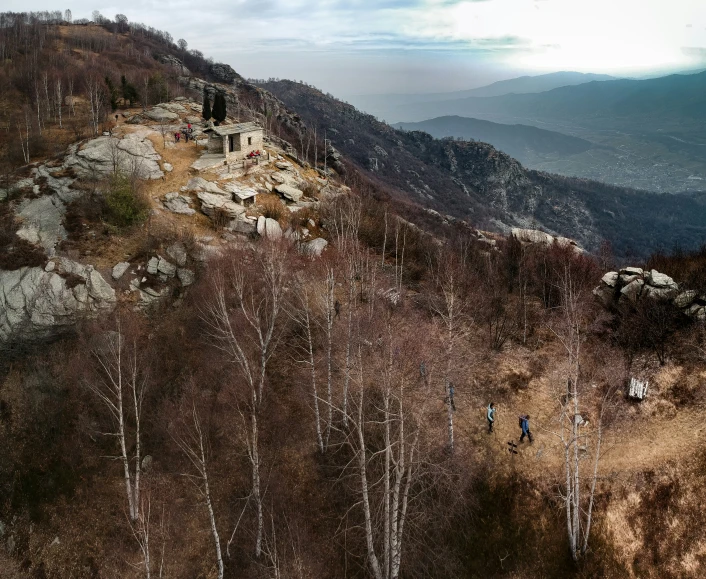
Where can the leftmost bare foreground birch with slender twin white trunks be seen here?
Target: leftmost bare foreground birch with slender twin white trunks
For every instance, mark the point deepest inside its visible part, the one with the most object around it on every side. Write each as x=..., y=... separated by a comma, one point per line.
x=121, y=381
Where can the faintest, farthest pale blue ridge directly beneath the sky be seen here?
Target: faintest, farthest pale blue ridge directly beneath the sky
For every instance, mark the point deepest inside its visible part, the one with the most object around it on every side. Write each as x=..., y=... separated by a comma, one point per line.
x=380, y=104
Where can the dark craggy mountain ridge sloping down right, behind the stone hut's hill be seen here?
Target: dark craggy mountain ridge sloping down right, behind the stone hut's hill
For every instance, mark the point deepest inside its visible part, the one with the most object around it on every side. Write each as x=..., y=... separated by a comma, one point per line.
x=475, y=181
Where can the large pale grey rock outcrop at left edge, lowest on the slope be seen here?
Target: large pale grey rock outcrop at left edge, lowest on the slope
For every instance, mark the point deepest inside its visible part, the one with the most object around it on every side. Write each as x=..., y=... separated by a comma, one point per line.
x=39, y=303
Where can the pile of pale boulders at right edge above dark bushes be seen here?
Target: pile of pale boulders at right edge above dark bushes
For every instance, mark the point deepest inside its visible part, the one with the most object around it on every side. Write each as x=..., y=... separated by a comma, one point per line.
x=632, y=284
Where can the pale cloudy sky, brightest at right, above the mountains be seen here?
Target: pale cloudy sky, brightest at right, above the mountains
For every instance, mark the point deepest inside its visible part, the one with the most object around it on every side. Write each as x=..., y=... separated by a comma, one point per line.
x=378, y=46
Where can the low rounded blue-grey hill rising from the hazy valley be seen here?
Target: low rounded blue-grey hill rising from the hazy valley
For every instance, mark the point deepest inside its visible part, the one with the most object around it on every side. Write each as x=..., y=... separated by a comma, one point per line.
x=523, y=142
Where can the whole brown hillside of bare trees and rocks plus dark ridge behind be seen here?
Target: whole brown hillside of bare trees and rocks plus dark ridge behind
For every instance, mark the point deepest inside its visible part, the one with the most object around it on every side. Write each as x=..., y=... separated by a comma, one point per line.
x=299, y=385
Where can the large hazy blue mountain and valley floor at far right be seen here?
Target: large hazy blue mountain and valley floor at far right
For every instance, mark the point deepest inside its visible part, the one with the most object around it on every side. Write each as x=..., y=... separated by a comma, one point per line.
x=648, y=134
